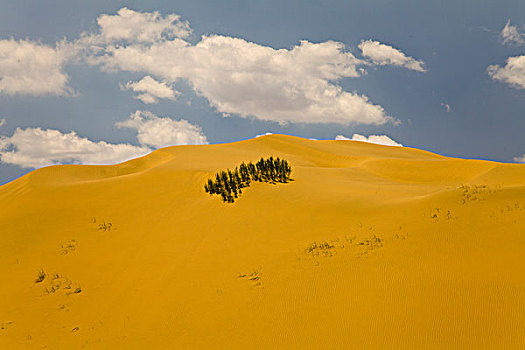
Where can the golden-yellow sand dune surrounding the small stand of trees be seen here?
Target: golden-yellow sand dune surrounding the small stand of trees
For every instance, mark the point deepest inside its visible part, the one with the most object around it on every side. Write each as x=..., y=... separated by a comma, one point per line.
x=370, y=247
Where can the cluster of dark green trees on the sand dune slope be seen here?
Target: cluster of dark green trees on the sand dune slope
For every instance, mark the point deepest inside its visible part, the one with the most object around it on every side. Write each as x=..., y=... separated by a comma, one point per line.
x=229, y=183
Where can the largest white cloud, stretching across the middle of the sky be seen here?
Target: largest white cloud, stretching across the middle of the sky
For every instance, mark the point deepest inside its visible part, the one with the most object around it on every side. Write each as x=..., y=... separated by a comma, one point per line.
x=236, y=76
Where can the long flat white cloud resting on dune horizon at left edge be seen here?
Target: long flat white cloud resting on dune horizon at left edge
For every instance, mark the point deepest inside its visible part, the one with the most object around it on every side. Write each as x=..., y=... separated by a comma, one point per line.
x=35, y=147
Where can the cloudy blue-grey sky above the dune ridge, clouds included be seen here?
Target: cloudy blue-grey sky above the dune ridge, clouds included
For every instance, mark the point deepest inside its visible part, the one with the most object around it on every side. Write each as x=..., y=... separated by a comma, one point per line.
x=98, y=82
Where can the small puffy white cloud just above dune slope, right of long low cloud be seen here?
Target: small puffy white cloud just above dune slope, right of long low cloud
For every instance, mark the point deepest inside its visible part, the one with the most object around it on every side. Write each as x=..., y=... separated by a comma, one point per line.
x=158, y=132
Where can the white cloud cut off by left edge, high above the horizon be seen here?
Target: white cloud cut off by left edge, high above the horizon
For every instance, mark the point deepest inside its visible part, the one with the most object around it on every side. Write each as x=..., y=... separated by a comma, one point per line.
x=31, y=68
